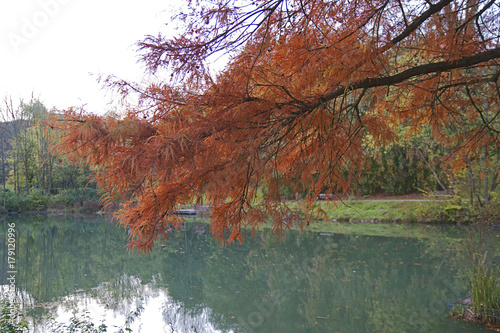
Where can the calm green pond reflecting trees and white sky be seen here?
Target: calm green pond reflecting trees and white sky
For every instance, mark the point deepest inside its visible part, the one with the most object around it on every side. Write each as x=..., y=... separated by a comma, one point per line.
x=308, y=282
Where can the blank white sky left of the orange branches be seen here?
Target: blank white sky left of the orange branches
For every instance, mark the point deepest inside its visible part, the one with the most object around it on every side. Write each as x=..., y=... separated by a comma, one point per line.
x=55, y=49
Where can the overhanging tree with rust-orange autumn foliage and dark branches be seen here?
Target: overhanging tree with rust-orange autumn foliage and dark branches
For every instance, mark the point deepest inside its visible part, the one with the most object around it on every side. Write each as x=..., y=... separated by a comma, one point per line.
x=304, y=84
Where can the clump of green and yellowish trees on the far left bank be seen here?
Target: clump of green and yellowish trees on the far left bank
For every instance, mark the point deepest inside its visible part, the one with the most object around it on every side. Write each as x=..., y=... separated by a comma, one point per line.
x=29, y=169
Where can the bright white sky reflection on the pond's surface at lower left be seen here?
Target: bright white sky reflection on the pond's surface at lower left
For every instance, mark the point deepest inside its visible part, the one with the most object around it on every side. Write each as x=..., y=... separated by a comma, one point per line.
x=152, y=309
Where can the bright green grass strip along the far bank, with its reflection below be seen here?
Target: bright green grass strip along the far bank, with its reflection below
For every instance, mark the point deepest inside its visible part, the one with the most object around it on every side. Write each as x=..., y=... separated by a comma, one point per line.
x=391, y=218
